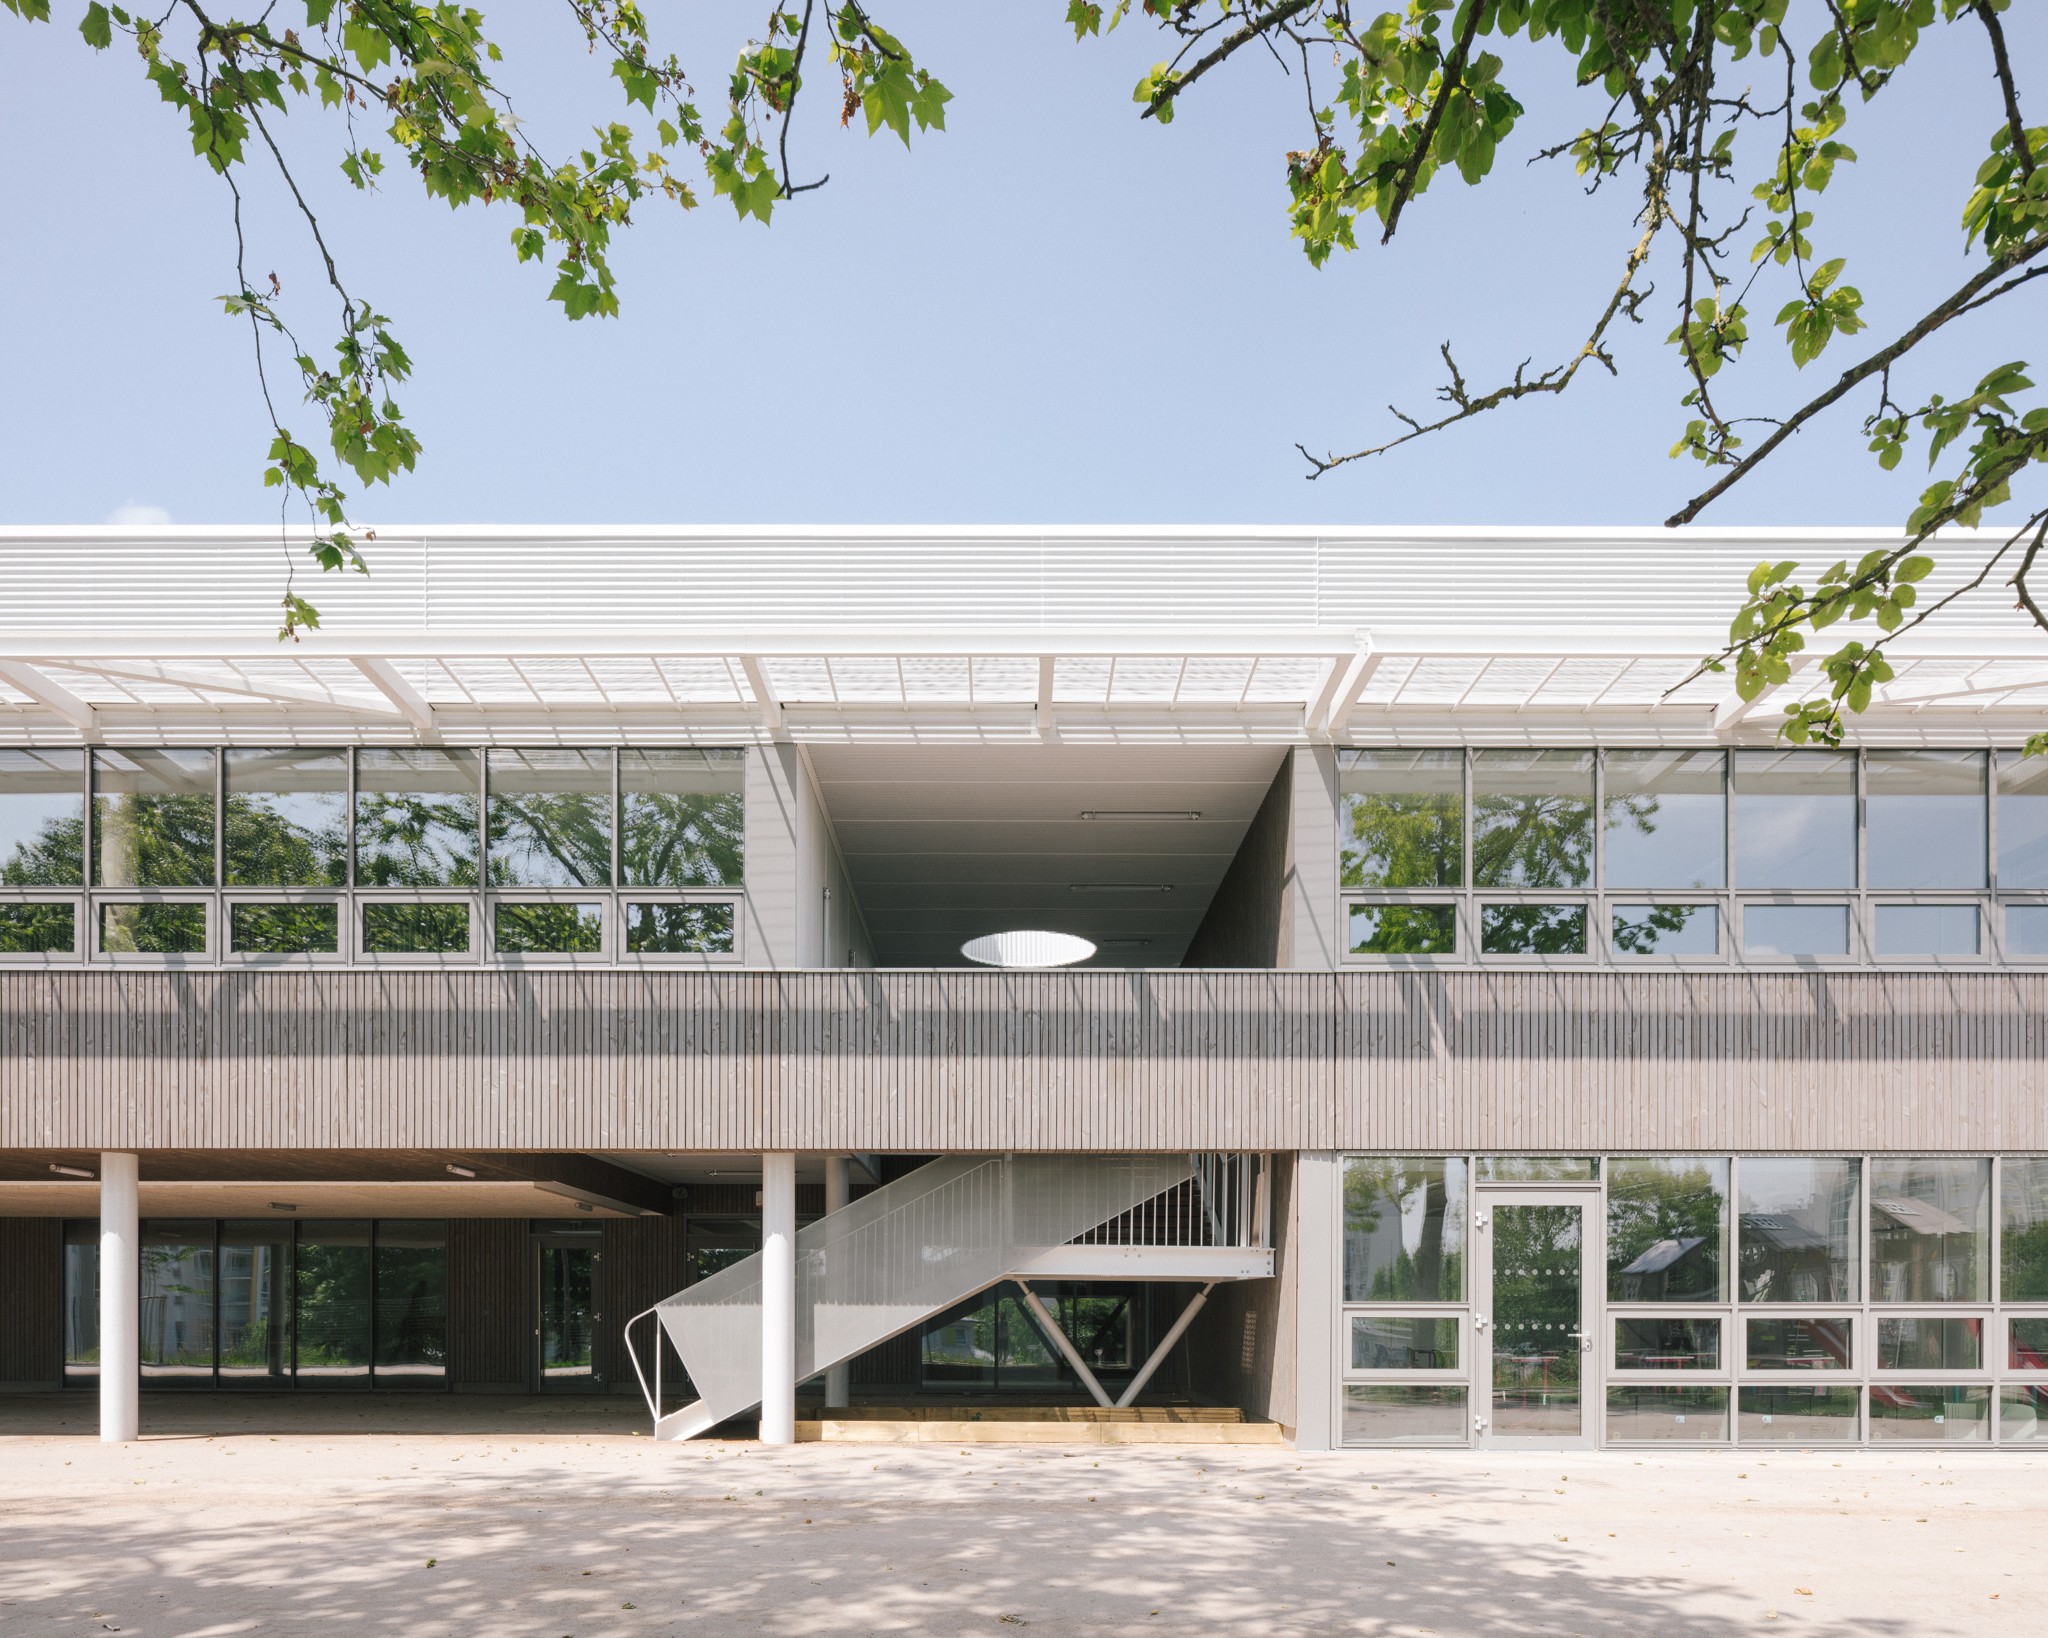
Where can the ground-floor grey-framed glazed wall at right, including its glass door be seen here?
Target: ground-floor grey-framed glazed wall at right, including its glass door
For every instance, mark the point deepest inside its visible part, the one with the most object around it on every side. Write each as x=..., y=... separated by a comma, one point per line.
x=1693, y=1299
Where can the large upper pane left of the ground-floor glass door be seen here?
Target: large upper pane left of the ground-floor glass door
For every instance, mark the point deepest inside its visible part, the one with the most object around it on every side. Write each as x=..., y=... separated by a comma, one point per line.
x=1404, y=1230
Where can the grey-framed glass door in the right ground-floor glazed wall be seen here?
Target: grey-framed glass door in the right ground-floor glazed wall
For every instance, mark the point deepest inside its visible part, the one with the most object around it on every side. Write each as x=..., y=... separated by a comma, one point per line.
x=1535, y=1318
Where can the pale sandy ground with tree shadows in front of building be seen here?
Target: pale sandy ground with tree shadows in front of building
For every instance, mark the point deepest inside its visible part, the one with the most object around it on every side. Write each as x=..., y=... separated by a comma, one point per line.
x=564, y=1524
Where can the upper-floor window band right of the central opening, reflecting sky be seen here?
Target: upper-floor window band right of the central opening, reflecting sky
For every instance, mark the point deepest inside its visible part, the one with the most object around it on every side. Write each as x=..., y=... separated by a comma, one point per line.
x=1693, y=857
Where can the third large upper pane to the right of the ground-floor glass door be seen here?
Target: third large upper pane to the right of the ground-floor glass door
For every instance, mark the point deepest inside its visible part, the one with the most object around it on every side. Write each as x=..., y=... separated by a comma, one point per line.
x=1930, y=1232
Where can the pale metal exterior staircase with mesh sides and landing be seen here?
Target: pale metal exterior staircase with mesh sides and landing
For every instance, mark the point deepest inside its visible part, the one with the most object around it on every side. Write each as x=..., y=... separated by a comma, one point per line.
x=947, y=1232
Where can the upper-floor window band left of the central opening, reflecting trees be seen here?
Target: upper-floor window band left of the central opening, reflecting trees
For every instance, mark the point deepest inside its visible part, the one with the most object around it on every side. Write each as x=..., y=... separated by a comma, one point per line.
x=421, y=855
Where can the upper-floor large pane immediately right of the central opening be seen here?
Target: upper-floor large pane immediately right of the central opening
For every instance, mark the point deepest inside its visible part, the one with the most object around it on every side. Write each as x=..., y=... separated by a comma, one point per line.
x=1404, y=818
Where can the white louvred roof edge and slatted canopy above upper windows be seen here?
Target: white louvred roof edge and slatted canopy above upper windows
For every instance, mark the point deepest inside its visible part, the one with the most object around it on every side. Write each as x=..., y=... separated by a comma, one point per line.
x=929, y=636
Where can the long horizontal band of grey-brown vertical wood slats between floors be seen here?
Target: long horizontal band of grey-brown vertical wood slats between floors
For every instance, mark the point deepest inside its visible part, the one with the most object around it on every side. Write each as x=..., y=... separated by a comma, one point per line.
x=933, y=1062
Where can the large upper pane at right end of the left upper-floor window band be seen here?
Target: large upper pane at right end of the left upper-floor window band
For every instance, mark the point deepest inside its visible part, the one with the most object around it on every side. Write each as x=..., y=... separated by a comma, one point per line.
x=683, y=818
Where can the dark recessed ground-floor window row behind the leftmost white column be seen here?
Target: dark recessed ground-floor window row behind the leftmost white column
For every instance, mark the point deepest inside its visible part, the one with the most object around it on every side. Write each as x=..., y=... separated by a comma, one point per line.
x=269, y=1305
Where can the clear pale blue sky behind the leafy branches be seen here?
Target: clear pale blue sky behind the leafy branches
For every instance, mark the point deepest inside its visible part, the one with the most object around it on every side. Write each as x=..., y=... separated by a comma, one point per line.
x=1050, y=314
